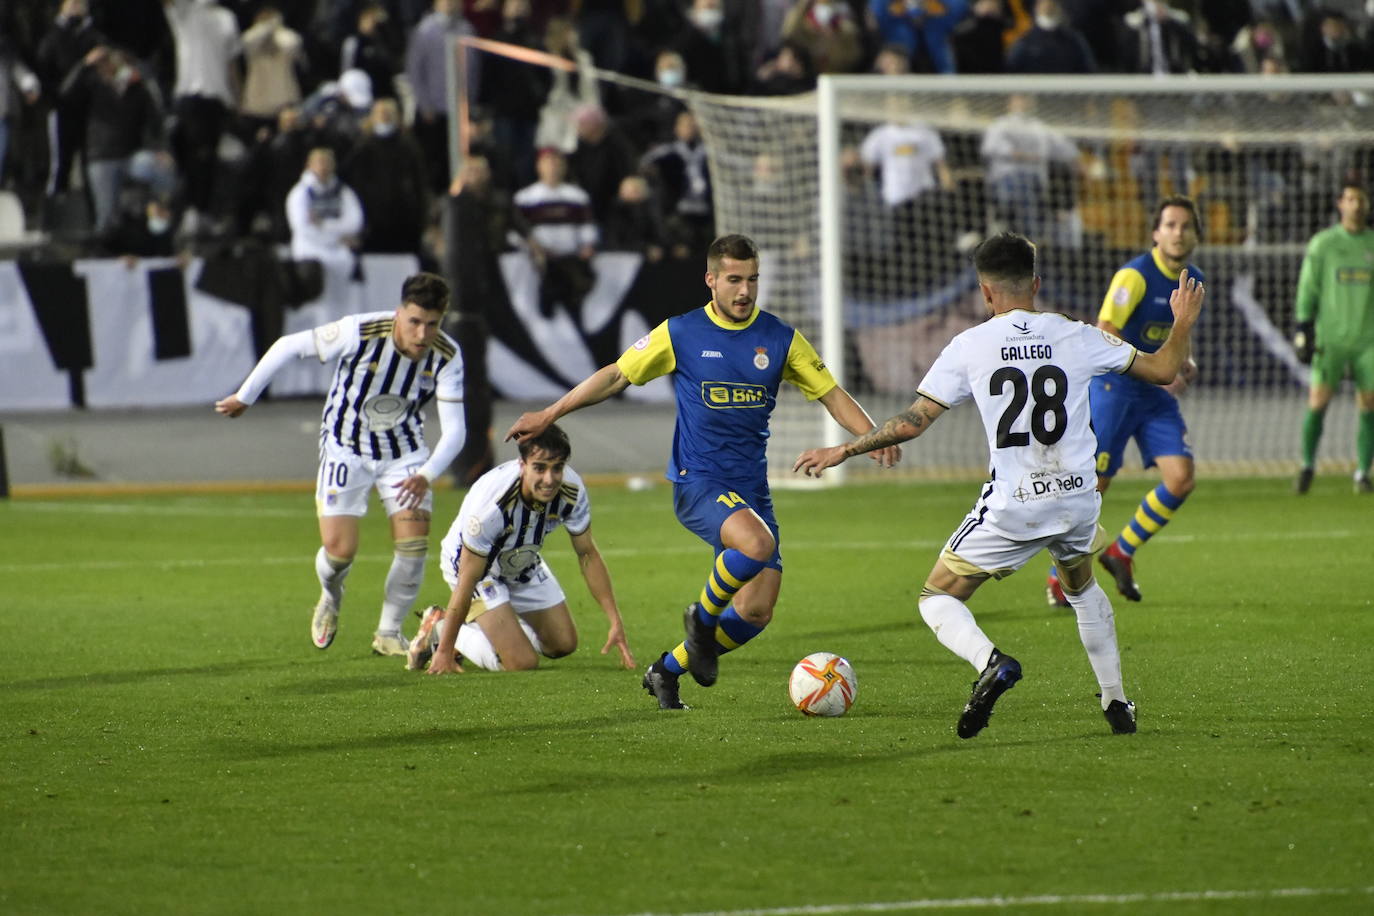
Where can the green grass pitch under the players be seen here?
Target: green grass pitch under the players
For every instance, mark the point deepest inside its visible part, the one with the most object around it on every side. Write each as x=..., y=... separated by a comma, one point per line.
x=172, y=744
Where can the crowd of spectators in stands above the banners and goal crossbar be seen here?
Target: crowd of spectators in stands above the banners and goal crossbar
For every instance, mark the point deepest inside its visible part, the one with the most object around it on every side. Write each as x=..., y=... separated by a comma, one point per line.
x=149, y=127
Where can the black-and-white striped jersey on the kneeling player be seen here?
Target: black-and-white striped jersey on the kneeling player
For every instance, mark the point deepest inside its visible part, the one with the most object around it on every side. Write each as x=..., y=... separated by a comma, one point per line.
x=498, y=524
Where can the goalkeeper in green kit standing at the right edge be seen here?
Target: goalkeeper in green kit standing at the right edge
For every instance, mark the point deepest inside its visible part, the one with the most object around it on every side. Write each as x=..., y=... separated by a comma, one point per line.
x=1336, y=328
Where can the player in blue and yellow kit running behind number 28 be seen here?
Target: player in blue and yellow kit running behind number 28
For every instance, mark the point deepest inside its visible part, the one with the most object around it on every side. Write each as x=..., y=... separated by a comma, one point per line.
x=1137, y=310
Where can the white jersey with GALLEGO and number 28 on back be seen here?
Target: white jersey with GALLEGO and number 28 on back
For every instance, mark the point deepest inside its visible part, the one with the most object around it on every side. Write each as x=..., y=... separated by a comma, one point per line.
x=1028, y=373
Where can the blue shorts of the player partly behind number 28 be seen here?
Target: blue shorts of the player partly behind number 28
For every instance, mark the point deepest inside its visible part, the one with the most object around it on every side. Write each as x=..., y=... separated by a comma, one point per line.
x=1125, y=410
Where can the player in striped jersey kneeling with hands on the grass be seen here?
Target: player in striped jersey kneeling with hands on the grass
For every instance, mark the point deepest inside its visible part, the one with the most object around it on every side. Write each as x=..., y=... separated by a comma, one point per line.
x=508, y=609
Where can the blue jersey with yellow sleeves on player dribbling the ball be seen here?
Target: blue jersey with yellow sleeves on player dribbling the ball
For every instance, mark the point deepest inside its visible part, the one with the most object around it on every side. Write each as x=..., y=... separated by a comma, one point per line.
x=726, y=378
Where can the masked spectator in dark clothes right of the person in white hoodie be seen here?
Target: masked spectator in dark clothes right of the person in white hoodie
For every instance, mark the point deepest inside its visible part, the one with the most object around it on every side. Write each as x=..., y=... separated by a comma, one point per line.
x=387, y=170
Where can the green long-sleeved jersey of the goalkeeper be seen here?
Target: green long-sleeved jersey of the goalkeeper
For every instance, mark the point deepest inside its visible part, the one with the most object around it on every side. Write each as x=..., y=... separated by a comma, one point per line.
x=1336, y=288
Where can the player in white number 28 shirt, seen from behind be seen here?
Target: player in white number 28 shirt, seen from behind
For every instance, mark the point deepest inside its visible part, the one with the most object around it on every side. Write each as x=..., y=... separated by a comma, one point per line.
x=1028, y=373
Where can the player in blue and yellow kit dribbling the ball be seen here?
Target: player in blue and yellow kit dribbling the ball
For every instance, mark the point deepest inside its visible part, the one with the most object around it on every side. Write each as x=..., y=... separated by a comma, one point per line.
x=728, y=362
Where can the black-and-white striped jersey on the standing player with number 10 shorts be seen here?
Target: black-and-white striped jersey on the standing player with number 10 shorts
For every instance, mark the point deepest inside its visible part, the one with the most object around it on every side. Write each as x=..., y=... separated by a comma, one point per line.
x=376, y=406
